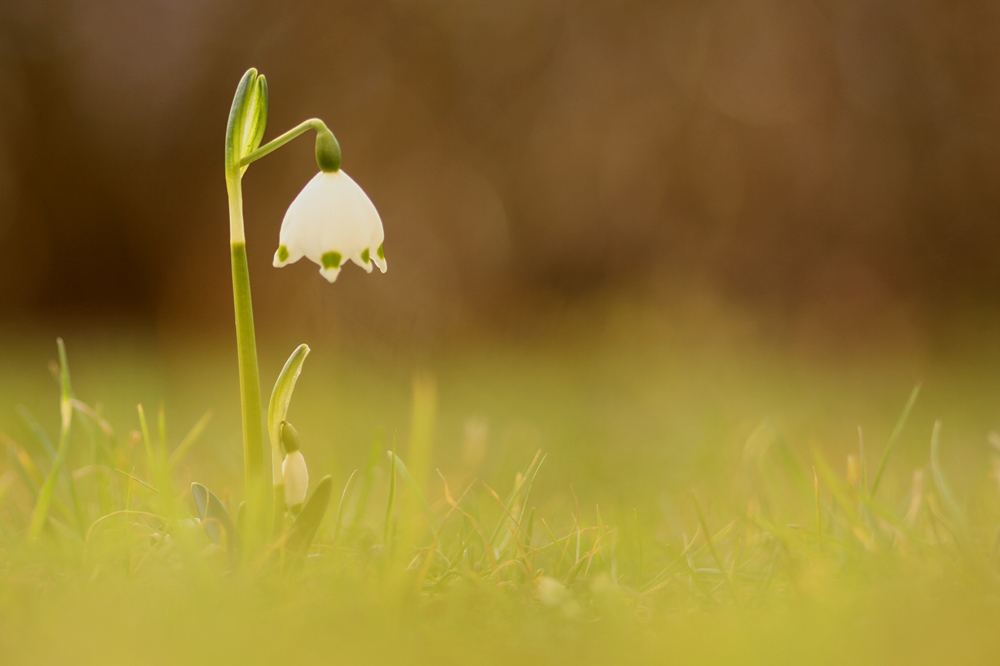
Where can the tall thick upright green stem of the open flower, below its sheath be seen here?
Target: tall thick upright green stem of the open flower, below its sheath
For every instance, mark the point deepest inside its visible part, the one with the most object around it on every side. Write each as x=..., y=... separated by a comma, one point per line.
x=257, y=491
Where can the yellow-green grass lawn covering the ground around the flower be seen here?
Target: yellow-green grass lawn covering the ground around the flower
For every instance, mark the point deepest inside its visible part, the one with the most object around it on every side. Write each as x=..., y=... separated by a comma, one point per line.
x=632, y=494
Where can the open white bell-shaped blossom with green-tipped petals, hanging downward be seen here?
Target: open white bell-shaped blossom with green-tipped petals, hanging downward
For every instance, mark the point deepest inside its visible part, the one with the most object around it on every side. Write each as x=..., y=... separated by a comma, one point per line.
x=332, y=220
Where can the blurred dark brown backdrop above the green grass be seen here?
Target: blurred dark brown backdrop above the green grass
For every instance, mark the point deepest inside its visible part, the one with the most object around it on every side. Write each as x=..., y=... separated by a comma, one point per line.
x=831, y=167
